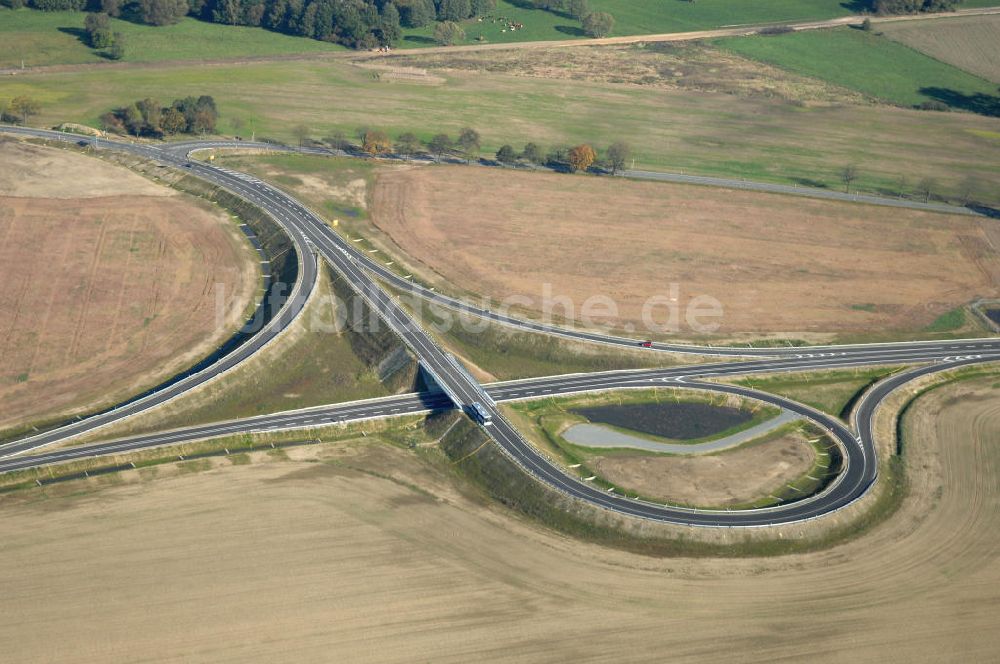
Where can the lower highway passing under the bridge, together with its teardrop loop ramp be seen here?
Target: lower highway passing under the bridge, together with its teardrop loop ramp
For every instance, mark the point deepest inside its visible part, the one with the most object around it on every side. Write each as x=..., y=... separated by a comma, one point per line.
x=860, y=463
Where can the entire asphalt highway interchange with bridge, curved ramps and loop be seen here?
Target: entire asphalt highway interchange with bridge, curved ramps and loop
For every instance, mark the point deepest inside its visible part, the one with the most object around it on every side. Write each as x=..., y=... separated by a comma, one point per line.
x=309, y=233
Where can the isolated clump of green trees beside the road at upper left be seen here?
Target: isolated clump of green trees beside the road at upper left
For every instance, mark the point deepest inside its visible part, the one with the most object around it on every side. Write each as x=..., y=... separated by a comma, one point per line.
x=146, y=117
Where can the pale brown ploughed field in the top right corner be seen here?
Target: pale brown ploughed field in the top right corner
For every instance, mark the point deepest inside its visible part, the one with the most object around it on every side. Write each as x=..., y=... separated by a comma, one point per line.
x=969, y=43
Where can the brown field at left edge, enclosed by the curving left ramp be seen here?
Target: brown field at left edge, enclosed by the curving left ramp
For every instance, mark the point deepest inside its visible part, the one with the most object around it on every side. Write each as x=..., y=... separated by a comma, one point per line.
x=109, y=282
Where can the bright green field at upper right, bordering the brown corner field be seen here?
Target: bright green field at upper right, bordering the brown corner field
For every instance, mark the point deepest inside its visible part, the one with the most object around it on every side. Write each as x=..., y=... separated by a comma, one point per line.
x=862, y=61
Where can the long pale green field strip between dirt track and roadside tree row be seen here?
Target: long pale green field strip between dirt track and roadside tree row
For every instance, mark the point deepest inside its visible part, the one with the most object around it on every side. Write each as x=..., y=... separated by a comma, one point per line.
x=707, y=133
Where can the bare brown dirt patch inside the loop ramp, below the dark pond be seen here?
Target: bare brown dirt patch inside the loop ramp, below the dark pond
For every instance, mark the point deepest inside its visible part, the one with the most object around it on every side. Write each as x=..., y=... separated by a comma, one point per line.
x=717, y=480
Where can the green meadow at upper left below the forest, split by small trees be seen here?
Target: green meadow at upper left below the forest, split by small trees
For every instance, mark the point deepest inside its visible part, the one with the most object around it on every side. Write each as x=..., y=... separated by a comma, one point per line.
x=48, y=38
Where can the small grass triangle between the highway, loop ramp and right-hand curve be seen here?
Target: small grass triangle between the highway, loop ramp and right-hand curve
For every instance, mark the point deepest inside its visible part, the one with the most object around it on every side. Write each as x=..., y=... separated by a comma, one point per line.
x=832, y=392
